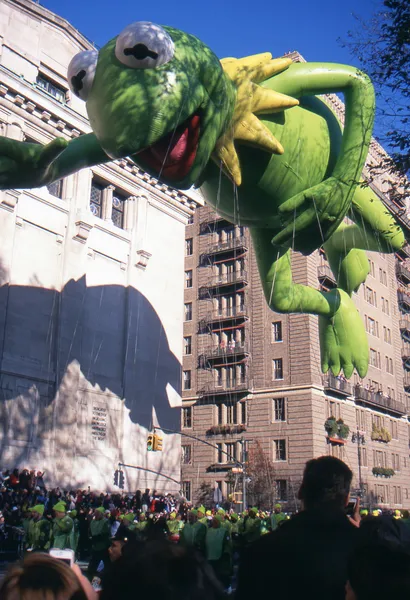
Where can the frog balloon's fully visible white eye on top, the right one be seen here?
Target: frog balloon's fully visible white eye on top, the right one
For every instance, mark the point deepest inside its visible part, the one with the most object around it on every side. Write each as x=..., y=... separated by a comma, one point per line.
x=144, y=45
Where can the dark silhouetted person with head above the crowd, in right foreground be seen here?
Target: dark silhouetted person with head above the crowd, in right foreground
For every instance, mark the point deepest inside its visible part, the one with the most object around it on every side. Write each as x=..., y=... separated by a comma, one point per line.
x=307, y=556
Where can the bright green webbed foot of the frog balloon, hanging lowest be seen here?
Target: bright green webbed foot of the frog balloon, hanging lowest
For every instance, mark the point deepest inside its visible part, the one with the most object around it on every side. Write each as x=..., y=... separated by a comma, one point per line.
x=343, y=340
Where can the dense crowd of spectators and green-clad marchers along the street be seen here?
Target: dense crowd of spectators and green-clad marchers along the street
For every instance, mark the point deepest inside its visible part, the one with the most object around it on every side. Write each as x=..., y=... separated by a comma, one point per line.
x=148, y=543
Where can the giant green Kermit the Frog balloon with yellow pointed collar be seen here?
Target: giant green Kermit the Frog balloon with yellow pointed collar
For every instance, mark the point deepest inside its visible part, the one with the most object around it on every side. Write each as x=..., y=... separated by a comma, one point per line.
x=267, y=152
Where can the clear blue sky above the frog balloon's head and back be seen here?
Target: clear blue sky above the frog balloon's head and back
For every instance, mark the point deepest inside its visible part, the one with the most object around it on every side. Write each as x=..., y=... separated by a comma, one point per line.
x=230, y=28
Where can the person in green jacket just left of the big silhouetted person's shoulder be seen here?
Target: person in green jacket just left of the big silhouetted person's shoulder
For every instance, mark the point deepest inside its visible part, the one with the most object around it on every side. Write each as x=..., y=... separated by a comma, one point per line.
x=219, y=550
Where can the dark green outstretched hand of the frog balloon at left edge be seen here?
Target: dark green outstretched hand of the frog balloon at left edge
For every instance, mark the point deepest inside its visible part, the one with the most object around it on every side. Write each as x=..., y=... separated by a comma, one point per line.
x=28, y=165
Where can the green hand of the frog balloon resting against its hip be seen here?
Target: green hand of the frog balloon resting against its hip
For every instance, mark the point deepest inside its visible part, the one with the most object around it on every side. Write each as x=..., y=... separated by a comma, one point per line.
x=318, y=207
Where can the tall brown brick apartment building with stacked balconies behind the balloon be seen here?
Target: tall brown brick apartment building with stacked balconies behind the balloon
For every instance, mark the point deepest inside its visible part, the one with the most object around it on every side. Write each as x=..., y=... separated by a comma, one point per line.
x=251, y=375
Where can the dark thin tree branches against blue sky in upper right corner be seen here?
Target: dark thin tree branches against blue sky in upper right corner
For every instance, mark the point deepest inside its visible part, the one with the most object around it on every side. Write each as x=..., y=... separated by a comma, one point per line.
x=381, y=43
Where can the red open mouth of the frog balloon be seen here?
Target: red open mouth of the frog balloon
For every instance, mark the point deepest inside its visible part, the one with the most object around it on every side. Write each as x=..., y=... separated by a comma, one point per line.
x=173, y=155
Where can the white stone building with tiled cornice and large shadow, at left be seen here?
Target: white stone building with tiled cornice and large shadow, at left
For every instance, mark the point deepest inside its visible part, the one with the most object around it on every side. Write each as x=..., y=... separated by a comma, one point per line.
x=91, y=272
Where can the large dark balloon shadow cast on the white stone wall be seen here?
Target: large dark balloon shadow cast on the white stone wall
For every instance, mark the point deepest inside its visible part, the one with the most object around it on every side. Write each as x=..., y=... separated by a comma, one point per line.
x=114, y=334
